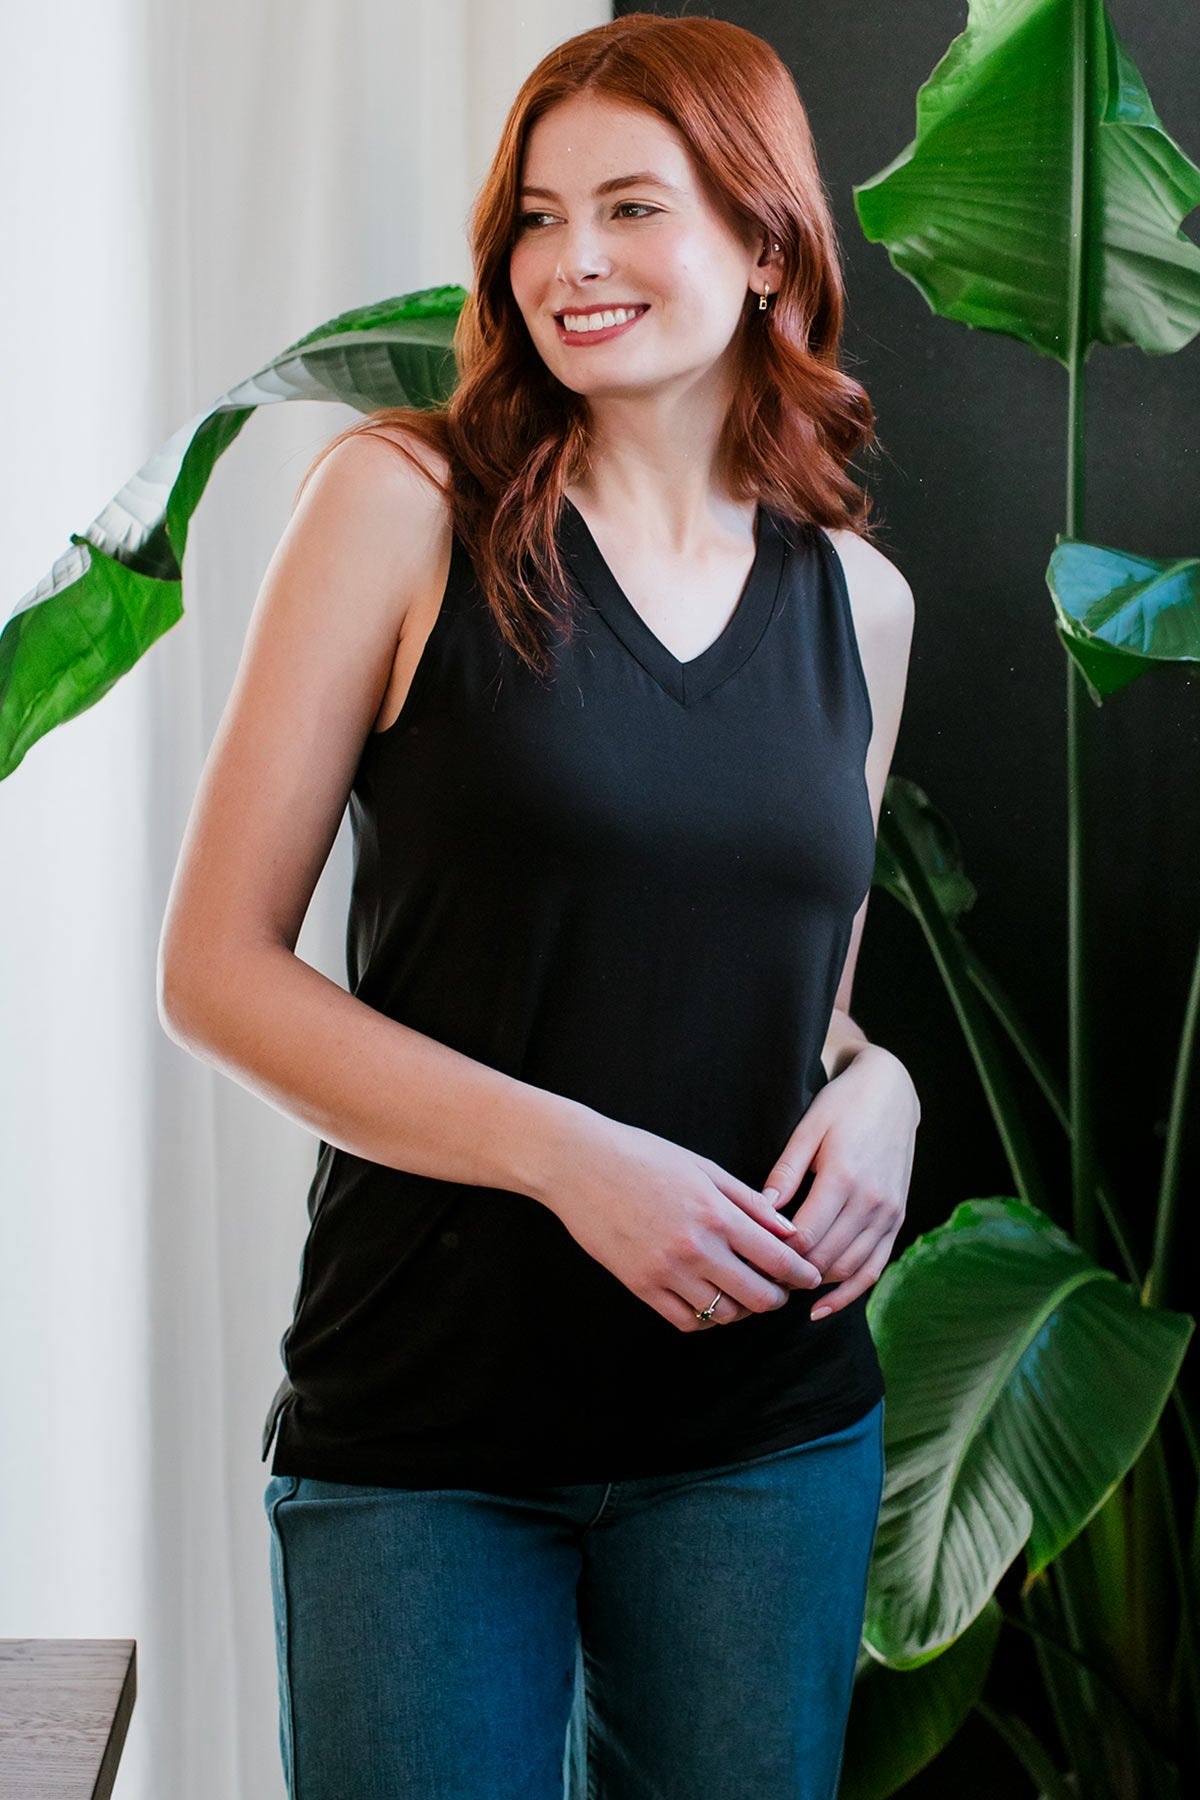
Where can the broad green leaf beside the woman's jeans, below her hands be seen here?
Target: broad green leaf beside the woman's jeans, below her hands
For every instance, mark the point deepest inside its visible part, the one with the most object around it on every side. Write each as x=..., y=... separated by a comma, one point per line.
x=1023, y=1383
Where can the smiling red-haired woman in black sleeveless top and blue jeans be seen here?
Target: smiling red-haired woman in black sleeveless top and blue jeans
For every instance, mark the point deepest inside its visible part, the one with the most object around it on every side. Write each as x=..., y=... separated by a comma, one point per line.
x=614, y=715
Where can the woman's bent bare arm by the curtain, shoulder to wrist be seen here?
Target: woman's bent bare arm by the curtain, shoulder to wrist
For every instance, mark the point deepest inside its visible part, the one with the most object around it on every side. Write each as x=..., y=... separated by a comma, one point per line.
x=368, y=539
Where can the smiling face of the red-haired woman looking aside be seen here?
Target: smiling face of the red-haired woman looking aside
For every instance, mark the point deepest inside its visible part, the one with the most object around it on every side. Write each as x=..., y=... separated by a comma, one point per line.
x=656, y=246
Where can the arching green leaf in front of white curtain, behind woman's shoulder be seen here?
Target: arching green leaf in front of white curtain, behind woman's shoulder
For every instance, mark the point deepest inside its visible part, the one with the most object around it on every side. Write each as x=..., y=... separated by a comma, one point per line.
x=120, y=588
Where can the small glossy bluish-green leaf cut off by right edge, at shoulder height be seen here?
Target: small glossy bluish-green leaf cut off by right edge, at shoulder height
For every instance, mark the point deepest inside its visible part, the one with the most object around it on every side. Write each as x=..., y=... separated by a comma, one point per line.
x=1120, y=615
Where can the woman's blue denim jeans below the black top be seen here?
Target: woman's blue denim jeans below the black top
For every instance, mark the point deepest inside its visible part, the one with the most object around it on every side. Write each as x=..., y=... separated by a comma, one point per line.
x=640, y=1641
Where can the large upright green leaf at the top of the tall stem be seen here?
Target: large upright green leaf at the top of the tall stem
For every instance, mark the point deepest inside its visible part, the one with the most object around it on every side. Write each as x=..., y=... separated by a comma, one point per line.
x=978, y=211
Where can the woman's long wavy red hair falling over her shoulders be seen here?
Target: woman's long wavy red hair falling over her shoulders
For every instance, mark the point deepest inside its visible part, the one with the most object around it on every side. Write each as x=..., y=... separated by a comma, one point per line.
x=514, y=436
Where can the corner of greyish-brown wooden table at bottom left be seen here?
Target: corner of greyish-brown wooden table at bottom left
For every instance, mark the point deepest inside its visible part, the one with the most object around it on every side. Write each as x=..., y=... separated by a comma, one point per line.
x=64, y=1714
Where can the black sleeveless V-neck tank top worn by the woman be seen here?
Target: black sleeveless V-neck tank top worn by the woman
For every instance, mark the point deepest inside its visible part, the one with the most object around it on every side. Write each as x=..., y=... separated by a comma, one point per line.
x=631, y=883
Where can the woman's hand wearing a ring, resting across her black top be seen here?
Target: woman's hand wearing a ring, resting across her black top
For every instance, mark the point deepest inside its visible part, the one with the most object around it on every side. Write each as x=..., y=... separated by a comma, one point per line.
x=674, y=1227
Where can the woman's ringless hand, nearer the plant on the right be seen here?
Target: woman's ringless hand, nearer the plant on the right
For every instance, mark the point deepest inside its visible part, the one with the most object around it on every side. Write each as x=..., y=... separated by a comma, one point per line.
x=859, y=1135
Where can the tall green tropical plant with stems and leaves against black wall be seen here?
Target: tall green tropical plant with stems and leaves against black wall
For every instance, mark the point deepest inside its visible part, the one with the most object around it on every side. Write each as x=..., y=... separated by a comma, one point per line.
x=1026, y=1381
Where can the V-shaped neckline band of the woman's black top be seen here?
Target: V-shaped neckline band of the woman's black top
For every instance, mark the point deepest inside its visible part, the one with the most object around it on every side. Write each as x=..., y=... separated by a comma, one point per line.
x=697, y=678
